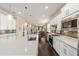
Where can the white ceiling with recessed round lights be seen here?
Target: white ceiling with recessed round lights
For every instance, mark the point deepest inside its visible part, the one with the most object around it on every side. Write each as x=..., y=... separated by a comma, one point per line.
x=35, y=13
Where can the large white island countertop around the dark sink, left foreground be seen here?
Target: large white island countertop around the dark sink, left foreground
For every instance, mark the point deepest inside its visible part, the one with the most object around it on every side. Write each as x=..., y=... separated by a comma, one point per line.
x=19, y=47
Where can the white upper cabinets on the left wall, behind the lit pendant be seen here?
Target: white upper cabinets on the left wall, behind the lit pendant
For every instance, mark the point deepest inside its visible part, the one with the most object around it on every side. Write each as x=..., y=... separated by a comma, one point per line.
x=6, y=24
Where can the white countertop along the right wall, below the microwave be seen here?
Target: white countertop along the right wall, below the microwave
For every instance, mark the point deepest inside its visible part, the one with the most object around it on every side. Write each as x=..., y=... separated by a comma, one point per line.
x=68, y=40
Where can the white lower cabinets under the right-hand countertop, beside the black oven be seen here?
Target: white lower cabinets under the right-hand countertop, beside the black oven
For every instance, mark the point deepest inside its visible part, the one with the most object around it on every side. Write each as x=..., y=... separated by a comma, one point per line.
x=63, y=49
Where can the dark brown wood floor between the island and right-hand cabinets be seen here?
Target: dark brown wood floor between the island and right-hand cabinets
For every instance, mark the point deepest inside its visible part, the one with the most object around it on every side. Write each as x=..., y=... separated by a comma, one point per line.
x=44, y=49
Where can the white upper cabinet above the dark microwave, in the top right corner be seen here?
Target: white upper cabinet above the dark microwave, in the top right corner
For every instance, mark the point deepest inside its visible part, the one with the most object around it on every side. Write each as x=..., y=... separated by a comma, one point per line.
x=69, y=8
